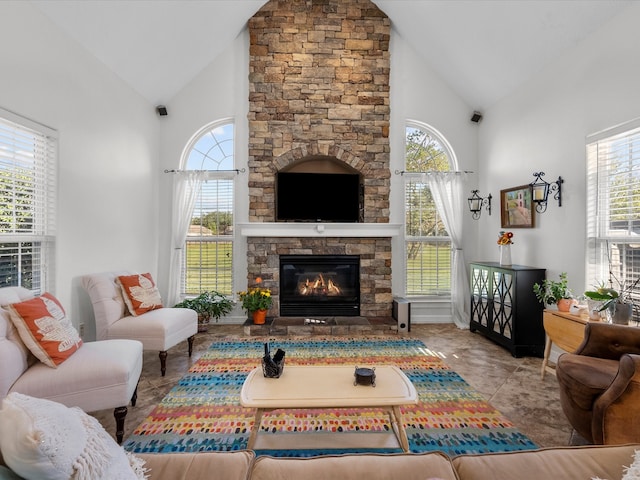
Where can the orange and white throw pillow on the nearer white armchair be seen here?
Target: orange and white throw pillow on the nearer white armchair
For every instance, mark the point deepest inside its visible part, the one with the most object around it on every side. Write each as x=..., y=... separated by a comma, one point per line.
x=45, y=330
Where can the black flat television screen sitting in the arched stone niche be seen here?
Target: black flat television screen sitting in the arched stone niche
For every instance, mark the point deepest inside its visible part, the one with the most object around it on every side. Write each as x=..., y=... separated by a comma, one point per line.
x=317, y=197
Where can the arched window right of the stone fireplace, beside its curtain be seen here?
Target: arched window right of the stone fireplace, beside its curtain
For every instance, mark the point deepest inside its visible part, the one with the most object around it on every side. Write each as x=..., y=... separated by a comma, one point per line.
x=427, y=243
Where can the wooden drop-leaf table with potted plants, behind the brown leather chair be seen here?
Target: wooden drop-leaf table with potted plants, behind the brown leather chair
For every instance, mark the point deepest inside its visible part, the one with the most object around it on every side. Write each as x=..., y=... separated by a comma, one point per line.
x=564, y=330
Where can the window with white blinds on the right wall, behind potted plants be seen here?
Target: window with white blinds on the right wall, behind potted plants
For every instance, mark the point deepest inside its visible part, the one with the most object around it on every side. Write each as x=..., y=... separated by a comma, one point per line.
x=613, y=209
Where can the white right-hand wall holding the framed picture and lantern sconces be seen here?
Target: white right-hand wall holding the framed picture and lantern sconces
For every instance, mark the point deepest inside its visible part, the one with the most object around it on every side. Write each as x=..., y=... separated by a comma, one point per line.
x=542, y=127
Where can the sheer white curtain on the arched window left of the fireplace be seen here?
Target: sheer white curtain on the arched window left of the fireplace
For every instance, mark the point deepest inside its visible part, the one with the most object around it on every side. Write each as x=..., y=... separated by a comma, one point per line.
x=186, y=186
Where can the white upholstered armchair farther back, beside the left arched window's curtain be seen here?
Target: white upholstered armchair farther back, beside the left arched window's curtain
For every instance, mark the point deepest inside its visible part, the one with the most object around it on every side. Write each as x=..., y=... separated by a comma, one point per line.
x=158, y=329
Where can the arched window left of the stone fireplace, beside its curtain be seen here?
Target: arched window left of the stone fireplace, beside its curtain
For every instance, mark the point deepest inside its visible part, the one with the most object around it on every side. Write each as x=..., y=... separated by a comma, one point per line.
x=207, y=259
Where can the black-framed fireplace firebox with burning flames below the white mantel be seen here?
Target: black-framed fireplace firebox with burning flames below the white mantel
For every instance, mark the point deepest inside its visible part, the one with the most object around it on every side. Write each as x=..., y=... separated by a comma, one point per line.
x=319, y=285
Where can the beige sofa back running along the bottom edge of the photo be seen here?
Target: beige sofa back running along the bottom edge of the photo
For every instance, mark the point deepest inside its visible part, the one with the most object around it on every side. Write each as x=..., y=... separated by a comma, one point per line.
x=562, y=463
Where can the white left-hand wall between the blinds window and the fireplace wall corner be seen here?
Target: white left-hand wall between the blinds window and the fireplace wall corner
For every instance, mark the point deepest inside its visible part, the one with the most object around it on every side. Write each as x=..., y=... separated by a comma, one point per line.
x=108, y=135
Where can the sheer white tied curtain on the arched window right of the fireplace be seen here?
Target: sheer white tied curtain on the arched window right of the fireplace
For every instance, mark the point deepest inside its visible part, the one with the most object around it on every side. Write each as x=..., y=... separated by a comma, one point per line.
x=447, y=190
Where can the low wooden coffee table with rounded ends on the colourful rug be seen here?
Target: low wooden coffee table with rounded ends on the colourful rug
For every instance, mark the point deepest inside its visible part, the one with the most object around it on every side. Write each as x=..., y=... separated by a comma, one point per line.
x=328, y=387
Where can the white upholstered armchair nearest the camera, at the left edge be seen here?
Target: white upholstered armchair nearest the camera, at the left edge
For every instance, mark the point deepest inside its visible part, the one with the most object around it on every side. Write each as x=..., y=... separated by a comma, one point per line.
x=98, y=376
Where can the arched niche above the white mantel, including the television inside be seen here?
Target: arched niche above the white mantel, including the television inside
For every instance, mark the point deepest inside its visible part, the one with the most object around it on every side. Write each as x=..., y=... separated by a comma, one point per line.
x=319, y=188
